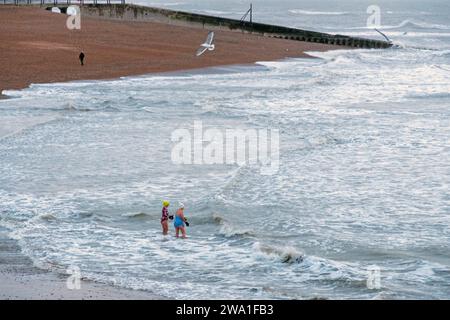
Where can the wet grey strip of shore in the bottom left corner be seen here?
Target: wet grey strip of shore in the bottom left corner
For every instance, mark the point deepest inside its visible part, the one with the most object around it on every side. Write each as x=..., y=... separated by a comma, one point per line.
x=21, y=280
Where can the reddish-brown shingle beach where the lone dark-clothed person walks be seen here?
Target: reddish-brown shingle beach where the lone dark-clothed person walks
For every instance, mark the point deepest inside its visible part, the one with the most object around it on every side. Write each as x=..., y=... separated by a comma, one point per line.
x=36, y=47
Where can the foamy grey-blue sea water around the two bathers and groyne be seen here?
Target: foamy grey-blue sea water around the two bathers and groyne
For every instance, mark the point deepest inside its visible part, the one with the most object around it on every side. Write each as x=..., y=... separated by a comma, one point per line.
x=361, y=192
